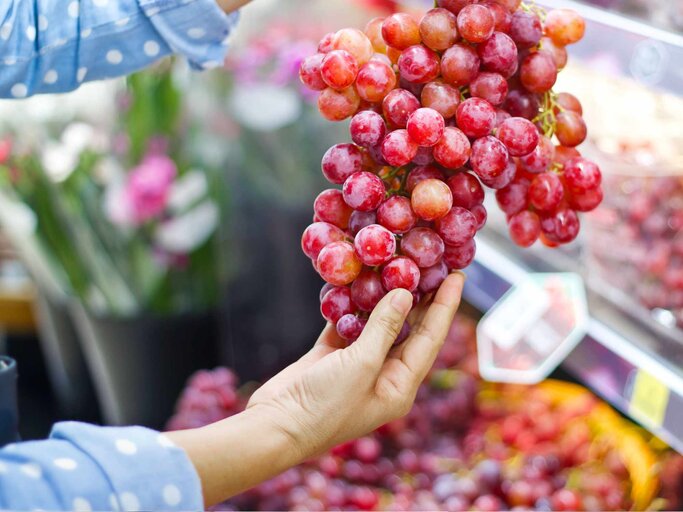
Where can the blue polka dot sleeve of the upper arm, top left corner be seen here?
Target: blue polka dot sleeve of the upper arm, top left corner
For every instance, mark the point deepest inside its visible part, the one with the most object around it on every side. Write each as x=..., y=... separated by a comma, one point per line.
x=49, y=46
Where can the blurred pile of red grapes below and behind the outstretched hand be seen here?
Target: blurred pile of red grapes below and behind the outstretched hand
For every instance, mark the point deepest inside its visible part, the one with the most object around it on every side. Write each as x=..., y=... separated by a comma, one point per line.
x=466, y=445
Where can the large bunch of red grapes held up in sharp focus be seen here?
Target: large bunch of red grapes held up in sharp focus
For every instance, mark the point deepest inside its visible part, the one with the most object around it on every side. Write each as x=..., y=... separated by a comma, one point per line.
x=441, y=107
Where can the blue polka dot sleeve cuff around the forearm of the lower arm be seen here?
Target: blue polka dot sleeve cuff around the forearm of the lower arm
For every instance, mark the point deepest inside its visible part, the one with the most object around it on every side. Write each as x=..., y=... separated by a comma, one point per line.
x=84, y=468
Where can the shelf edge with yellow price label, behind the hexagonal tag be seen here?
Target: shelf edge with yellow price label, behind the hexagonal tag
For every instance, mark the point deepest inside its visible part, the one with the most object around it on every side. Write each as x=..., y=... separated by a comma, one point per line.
x=619, y=359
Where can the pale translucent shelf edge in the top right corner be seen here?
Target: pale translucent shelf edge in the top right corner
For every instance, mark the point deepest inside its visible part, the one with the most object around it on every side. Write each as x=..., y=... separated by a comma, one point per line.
x=634, y=49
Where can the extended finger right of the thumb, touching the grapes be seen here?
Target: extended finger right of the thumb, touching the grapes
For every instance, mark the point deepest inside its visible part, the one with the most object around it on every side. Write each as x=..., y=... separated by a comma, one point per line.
x=428, y=335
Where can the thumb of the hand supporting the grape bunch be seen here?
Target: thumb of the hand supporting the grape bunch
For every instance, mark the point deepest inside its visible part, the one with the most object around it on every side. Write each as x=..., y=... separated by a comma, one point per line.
x=383, y=327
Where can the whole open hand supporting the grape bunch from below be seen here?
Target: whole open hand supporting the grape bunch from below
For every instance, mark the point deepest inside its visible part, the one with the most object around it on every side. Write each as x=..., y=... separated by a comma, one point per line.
x=337, y=393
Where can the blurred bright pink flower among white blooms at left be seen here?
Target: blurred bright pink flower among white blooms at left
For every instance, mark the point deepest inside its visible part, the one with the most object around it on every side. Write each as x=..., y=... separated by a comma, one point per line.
x=148, y=186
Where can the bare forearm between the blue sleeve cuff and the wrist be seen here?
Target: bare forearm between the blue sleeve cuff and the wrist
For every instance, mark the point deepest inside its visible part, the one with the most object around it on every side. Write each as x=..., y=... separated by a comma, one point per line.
x=237, y=453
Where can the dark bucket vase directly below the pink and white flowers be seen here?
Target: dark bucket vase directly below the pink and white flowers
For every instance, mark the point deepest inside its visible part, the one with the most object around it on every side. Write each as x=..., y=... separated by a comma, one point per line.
x=140, y=365
